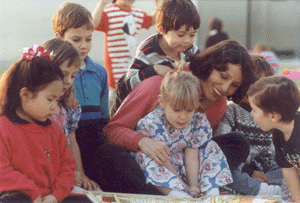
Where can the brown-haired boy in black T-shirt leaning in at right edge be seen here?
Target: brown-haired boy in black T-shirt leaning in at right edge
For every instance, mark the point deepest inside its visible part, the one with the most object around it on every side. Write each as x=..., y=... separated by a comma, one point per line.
x=275, y=101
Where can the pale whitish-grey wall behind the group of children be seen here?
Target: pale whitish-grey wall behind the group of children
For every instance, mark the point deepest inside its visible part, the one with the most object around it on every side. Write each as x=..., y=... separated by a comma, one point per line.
x=27, y=22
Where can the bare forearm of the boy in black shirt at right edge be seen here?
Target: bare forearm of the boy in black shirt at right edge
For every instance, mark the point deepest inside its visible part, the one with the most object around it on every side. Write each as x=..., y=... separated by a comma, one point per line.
x=291, y=177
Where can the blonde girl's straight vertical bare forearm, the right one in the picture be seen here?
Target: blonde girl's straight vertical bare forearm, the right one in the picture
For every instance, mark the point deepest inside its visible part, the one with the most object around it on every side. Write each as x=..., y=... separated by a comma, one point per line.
x=191, y=162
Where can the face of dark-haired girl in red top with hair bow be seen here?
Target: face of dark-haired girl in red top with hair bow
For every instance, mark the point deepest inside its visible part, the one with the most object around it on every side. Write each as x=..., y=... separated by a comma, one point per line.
x=41, y=106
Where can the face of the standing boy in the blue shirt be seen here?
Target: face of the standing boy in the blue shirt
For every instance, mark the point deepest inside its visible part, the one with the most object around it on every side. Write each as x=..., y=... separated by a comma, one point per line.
x=81, y=39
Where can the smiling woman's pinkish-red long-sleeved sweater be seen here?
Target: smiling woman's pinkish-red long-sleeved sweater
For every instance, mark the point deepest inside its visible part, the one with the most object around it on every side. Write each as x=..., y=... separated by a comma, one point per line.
x=141, y=100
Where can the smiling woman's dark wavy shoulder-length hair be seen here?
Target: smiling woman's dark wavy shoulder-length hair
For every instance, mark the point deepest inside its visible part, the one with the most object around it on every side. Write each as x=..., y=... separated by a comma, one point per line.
x=217, y=56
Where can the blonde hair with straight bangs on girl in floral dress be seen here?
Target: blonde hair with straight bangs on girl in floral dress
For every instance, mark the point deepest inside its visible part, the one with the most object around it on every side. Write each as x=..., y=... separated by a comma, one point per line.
x=181, y=90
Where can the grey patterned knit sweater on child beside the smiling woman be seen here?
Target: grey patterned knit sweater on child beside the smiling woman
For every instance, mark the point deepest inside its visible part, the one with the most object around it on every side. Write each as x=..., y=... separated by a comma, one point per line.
x=238, y=119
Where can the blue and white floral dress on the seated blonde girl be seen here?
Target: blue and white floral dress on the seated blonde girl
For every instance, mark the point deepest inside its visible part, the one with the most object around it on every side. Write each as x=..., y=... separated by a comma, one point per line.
x=214, y=170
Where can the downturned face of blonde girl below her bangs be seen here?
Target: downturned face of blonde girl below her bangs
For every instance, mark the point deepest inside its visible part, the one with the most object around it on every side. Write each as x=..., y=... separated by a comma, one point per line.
x=178, y=119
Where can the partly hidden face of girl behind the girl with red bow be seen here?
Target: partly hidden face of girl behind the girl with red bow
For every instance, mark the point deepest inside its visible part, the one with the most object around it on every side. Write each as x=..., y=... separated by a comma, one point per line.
x=69, y=74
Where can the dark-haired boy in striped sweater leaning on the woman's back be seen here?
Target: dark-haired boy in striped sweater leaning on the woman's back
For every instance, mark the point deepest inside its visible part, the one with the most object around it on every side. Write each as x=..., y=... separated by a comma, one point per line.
x=177, y=24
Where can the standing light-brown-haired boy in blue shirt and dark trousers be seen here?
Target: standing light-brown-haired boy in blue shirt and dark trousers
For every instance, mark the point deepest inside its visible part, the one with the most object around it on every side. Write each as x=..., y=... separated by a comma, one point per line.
x=73, y=23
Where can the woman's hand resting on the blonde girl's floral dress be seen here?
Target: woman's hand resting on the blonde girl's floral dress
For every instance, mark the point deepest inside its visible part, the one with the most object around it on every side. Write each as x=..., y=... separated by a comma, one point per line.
x=156, y=150
